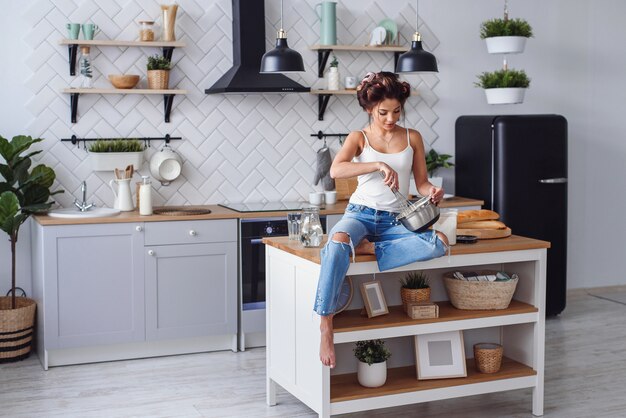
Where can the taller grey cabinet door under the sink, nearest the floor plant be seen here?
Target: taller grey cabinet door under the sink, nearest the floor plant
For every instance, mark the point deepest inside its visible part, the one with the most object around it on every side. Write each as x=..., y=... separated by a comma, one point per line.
x=94, y=285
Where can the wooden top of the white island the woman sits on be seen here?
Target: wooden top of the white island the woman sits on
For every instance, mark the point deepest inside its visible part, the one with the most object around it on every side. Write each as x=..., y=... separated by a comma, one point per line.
x=512, y=243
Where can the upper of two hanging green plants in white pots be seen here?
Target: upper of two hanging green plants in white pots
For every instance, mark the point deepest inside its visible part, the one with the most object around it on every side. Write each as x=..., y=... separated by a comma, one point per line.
x=505, y=36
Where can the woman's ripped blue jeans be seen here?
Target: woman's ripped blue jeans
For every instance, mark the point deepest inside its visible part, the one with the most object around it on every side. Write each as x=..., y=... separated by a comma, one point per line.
x=394, y=245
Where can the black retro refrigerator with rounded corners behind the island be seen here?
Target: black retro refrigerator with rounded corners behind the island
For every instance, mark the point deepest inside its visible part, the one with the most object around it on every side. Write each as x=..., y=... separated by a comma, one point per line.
x=517, y=164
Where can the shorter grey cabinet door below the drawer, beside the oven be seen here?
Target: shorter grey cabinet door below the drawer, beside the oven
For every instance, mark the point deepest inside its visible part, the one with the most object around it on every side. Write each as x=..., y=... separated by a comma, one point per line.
x=191, y=290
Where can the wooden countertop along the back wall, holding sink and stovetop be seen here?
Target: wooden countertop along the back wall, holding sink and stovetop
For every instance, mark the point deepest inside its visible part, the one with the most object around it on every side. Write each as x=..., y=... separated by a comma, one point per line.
x=218, y=212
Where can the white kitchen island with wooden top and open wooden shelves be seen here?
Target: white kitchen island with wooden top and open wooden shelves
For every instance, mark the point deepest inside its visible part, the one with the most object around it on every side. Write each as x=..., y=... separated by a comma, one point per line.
x=293, y=329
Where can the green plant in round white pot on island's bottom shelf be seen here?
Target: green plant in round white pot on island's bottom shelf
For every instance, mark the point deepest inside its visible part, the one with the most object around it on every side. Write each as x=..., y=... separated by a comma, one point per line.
x=372, y=356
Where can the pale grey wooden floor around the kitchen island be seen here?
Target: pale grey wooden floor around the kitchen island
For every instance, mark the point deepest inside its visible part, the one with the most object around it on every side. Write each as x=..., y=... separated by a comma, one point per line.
x=585, y=377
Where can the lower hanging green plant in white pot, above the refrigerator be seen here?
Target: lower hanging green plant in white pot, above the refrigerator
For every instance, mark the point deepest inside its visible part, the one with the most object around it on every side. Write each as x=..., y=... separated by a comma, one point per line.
x=506, y=86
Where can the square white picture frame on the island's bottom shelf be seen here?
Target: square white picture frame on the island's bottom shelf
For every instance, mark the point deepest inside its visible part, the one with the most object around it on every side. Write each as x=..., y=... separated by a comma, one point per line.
x=440, y=355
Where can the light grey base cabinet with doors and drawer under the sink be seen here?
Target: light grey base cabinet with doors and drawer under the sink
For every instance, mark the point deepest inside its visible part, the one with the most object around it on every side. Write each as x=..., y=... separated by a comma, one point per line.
x=115, y=291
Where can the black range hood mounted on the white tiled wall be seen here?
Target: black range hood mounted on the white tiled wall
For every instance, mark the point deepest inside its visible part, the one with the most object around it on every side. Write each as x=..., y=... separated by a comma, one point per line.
x=248, y=49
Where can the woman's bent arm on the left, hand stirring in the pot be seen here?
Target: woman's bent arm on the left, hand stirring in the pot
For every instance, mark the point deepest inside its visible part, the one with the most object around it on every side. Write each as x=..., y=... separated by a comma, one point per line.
x=343, y=166
